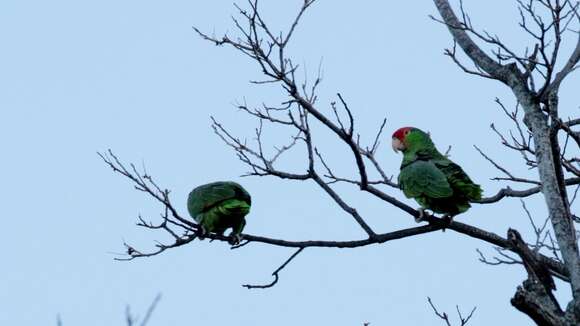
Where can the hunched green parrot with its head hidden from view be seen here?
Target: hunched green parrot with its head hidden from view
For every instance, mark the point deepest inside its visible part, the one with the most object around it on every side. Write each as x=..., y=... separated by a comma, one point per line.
x=218, y=206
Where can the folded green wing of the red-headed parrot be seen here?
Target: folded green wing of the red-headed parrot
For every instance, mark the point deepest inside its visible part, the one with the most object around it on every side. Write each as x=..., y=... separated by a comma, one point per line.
x=423, y=178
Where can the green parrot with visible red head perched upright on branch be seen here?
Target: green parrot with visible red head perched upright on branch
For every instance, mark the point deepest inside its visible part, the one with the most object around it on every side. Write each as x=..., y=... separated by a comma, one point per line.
x=433, y=180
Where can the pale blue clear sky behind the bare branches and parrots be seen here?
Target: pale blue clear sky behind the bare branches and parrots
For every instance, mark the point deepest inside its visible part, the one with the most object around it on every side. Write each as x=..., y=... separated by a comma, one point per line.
x=78, y=77
